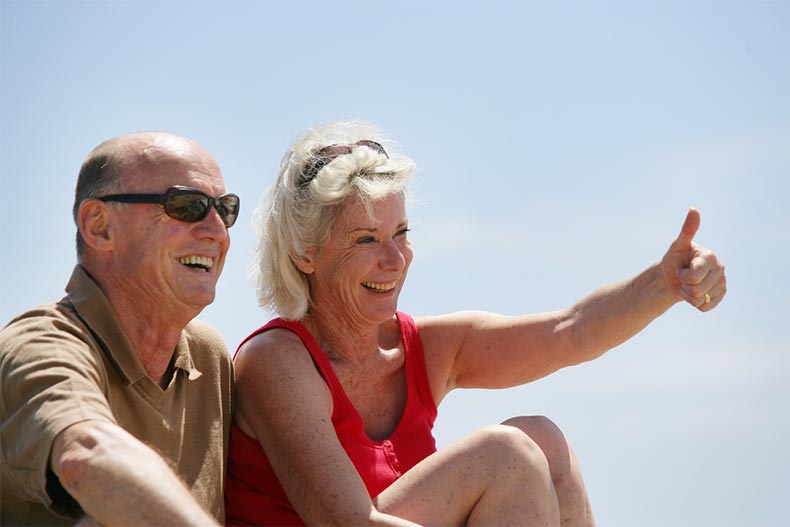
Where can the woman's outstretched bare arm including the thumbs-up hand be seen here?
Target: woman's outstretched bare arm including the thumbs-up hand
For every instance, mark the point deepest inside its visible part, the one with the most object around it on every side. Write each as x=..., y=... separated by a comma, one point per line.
x=486, y=350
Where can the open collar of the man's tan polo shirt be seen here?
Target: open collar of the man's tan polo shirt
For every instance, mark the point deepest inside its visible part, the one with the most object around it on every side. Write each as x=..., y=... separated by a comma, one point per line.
x=95, y=310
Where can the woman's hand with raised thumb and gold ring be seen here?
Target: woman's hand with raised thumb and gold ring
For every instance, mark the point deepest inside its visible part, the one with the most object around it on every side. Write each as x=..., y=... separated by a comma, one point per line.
x=691, y=271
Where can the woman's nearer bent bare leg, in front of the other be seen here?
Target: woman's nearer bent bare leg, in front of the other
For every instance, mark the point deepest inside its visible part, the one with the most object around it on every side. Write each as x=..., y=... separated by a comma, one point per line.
x=496, y=476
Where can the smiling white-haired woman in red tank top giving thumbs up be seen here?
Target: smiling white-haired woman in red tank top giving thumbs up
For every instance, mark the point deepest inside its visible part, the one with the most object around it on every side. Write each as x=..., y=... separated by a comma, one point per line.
x=337, y=398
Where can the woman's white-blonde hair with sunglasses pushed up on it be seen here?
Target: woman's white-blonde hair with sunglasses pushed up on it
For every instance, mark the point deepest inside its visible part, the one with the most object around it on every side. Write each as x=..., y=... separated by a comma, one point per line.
x=325, y=166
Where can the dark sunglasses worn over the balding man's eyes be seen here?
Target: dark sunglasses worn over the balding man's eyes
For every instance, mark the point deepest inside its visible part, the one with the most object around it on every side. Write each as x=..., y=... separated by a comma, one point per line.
x=186, y=203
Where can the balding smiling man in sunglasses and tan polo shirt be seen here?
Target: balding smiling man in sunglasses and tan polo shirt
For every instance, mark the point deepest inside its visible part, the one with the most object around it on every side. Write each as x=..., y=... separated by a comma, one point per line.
x=116, y=403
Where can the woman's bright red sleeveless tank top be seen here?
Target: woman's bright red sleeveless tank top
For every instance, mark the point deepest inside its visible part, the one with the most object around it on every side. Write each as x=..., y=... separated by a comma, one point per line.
x=253, y=496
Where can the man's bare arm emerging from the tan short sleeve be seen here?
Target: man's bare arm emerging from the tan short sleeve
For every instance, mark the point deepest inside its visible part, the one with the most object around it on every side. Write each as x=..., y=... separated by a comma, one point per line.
x=119, y=480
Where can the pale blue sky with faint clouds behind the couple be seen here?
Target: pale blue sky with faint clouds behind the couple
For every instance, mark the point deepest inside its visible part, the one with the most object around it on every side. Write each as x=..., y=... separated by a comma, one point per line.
x=560, y=145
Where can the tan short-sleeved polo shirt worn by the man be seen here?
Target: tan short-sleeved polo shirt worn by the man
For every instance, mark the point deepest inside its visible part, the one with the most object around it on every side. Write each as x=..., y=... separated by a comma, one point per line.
x=67, y=362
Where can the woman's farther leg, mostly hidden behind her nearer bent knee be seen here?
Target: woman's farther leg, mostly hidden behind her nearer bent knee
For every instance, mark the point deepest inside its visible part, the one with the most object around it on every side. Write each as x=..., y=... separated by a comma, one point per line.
x=575, y=509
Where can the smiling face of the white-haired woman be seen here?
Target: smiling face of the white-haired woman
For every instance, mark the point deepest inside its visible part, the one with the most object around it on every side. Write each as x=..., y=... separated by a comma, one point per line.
x=359, y=272
